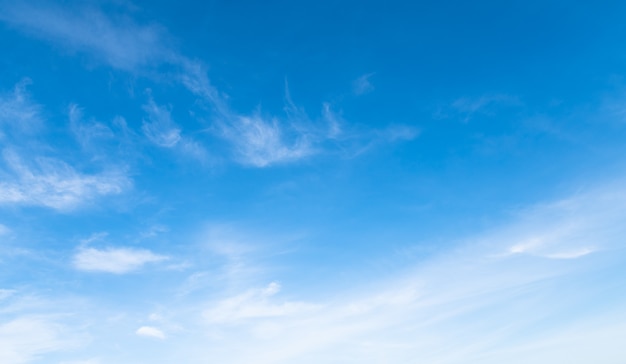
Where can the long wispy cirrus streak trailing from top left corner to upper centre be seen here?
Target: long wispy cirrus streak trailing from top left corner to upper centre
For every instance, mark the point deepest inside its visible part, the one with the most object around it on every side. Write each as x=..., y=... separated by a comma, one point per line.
x=255, y=140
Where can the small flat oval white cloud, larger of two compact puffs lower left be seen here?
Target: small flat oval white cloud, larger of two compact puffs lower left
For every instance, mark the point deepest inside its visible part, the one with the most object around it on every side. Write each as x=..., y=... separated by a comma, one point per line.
x=114, y=260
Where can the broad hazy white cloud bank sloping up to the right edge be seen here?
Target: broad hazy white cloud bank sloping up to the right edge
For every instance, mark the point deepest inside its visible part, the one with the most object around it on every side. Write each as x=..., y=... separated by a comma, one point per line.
x=429, y=314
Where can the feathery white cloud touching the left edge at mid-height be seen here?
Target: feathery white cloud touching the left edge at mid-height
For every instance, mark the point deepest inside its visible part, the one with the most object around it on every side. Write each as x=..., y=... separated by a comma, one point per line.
x=53, y=183
